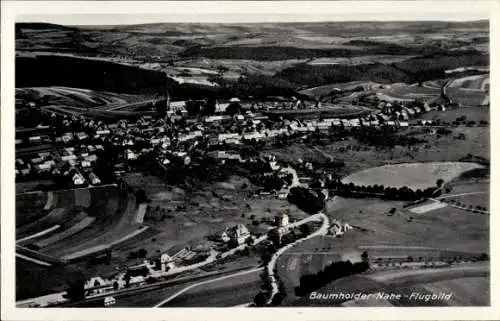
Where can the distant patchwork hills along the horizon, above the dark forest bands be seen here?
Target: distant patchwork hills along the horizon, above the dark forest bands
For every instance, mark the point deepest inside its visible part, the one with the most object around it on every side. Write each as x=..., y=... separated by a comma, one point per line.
x=267, y=40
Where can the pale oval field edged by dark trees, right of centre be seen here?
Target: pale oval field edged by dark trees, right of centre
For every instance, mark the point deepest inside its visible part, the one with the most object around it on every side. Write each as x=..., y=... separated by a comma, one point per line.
x=413, y=175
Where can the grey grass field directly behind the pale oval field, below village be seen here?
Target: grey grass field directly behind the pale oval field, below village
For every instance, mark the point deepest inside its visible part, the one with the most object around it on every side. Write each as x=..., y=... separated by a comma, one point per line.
x=357, y=156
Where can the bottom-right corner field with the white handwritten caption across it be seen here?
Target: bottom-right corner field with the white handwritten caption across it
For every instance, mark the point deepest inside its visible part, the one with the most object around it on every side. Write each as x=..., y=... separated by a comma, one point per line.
x=407, y=282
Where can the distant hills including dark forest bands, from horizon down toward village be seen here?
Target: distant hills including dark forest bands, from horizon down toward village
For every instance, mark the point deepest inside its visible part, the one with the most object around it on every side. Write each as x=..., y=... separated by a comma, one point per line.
x=424, y=50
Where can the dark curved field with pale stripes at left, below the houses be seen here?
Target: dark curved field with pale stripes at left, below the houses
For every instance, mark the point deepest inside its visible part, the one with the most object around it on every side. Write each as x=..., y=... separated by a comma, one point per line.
x=78, y=223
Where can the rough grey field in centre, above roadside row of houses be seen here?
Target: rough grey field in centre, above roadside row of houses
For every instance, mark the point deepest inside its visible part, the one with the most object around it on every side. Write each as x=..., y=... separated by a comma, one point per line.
x=191, y=216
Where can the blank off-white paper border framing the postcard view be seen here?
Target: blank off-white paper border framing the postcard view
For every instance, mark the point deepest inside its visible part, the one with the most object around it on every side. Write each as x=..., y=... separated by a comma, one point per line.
x=376, y=10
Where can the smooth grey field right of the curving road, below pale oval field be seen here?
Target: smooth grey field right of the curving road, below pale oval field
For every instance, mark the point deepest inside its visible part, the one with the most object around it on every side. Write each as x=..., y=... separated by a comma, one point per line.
x=449, y=227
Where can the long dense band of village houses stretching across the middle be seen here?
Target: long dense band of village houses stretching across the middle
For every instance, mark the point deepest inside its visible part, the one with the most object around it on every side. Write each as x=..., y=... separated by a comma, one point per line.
x=172, y=140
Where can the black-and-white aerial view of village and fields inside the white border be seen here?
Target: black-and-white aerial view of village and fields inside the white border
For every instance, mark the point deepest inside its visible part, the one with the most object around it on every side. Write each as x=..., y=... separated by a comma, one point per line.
x=252, y=164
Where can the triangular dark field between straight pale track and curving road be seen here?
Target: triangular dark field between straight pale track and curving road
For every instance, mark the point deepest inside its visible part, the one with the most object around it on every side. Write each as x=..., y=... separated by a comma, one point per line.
x=225, y=291
